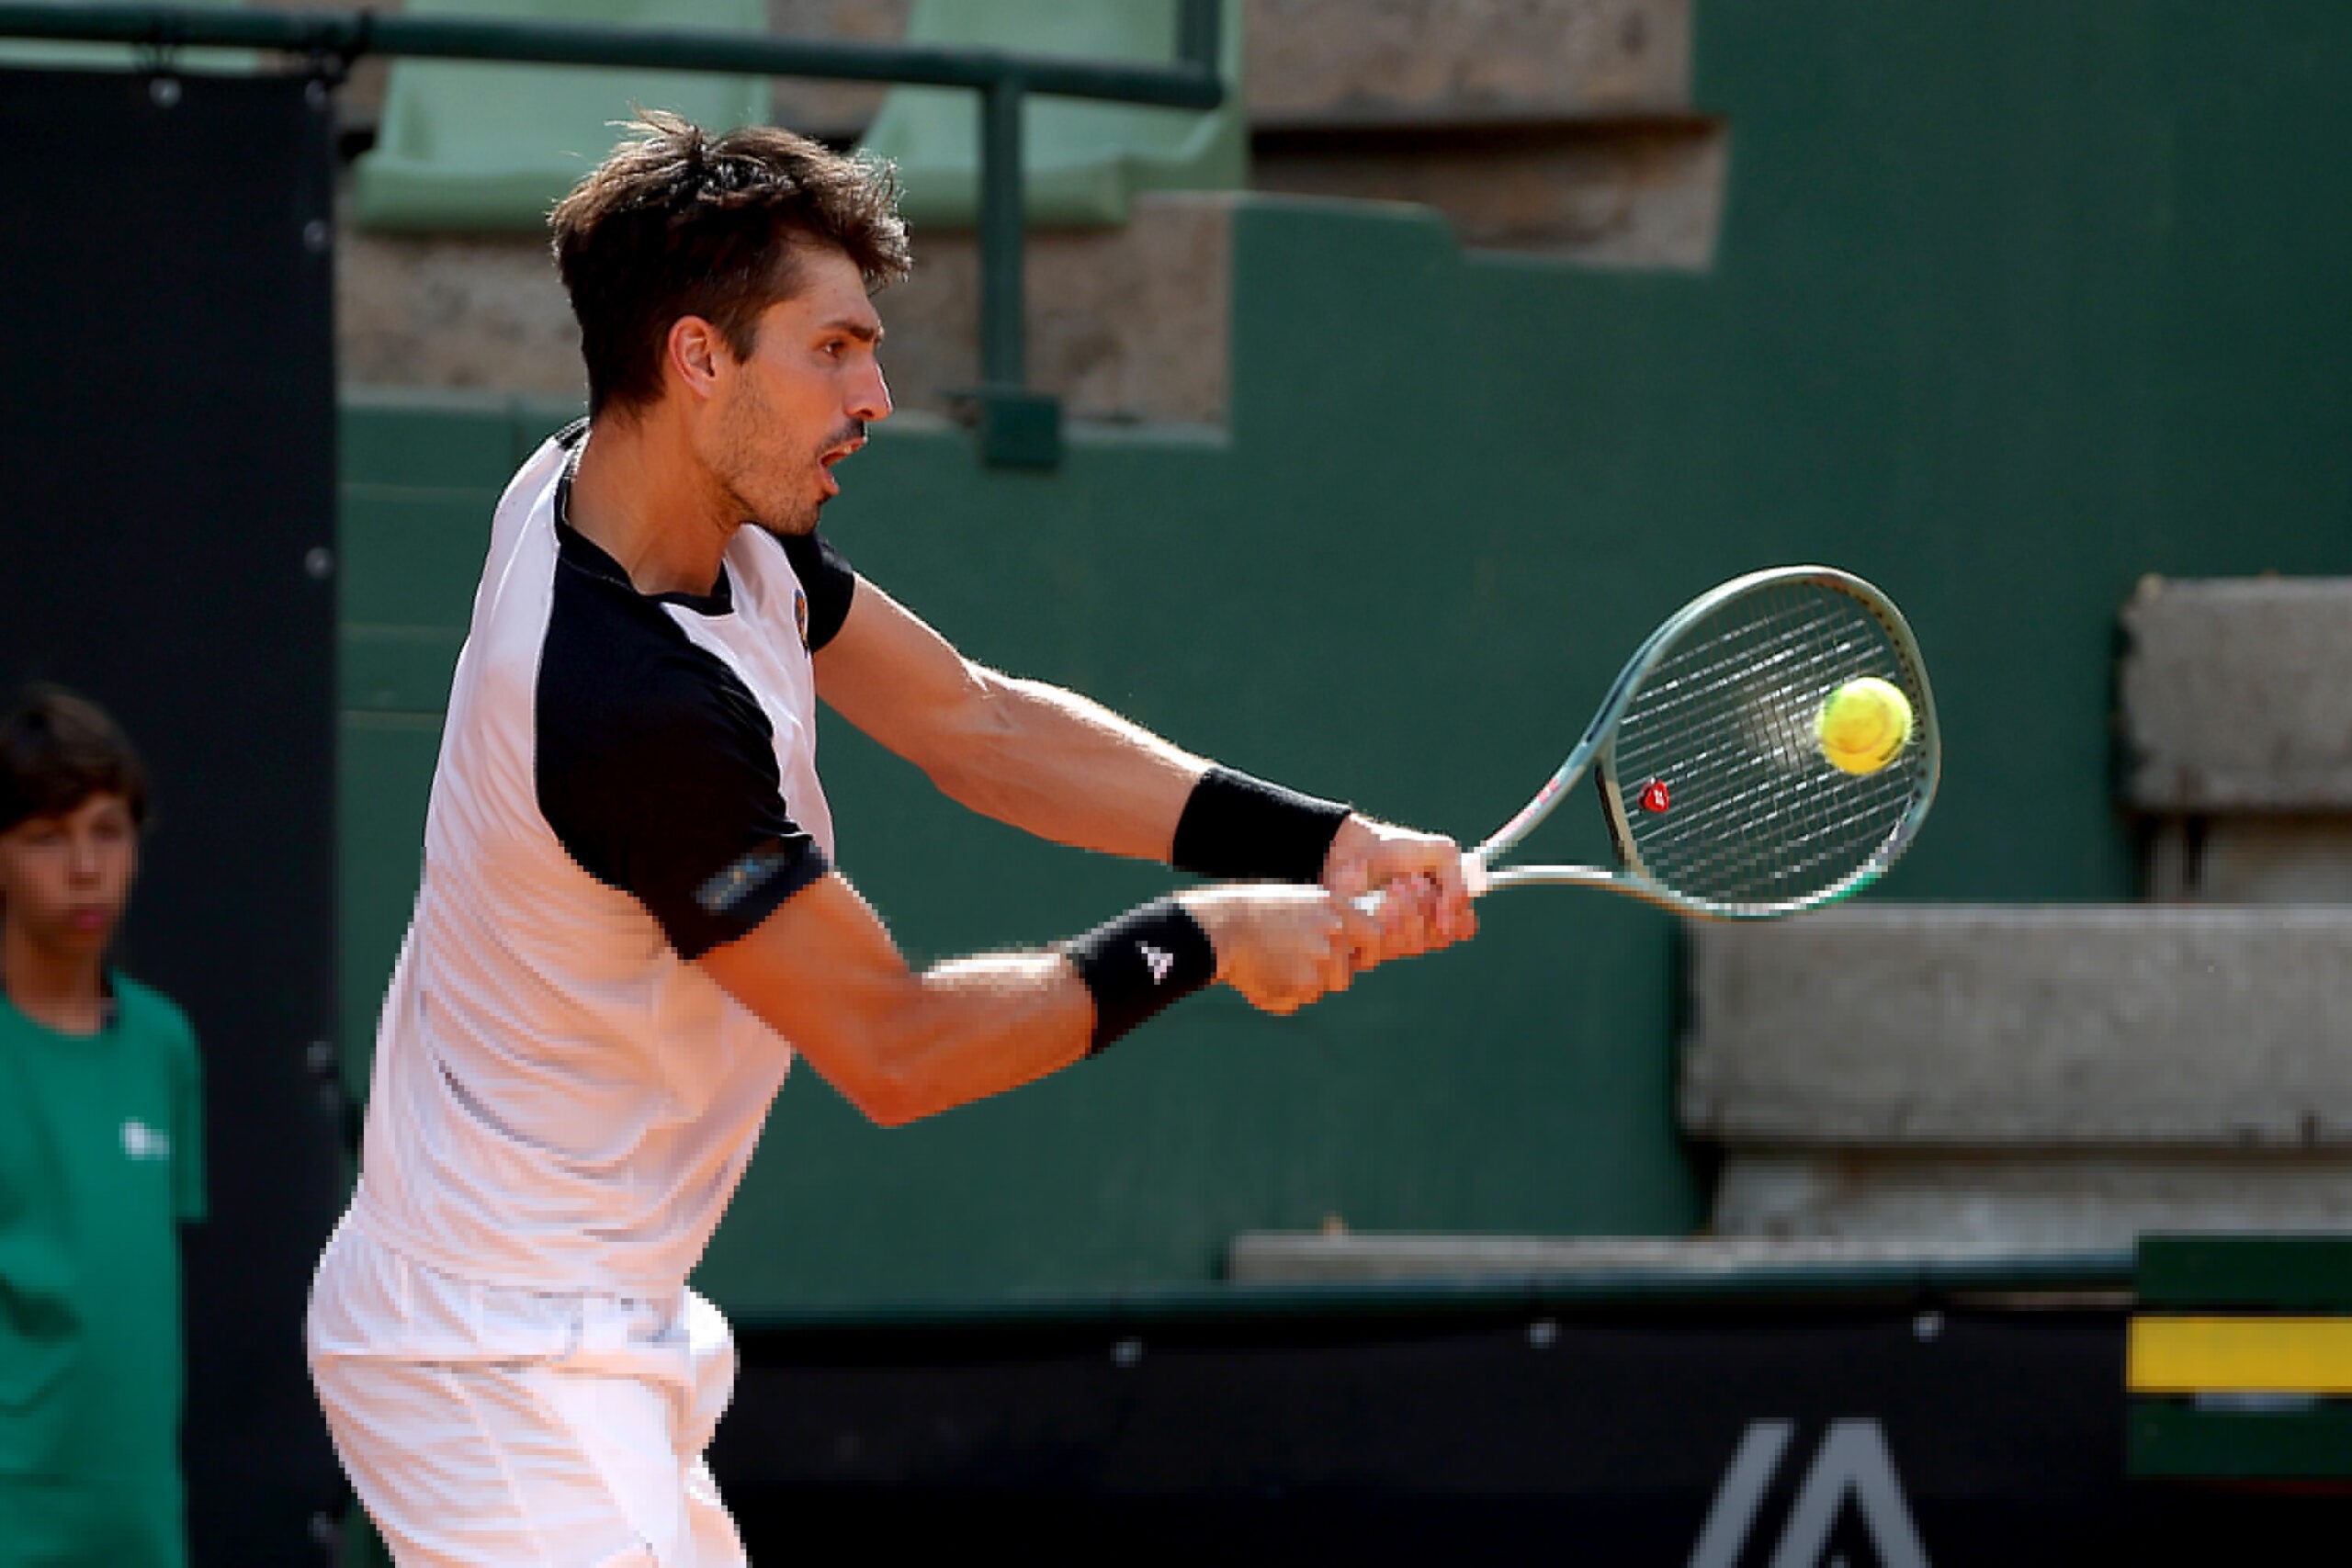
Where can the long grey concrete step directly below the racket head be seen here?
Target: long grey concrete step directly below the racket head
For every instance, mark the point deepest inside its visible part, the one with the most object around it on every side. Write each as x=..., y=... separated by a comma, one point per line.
x=2005, y=1026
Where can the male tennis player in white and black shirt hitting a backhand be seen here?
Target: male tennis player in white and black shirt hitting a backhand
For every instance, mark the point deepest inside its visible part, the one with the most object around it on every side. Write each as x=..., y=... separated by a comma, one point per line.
x=632, y=920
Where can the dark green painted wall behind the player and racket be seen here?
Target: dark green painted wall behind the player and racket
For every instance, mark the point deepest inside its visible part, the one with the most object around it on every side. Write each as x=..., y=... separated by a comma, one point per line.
x=2012, y=307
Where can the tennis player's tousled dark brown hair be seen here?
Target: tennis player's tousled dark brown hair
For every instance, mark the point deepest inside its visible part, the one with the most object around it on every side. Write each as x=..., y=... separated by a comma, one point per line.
x=681, y=222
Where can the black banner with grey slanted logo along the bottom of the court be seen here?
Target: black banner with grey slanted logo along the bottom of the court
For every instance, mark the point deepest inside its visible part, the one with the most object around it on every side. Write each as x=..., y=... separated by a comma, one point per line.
x=1695, y=1438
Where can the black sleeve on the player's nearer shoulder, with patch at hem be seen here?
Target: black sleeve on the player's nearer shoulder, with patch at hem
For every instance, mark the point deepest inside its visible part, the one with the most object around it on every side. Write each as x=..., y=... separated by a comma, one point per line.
x=657, y=770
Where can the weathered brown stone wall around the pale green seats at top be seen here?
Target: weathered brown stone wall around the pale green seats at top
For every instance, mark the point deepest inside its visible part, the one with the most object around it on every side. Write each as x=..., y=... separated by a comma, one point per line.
x=1544, y=126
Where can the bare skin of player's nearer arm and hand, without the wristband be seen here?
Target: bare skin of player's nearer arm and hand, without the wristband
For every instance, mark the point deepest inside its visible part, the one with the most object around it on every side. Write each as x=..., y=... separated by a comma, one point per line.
x=904, y=1045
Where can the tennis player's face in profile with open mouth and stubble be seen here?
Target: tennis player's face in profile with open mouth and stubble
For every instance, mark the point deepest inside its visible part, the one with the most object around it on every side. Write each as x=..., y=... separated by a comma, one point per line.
x=803, y=398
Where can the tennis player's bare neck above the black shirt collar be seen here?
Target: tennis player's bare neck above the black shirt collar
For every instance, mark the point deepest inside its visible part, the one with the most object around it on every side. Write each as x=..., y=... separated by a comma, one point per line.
x=636, y=495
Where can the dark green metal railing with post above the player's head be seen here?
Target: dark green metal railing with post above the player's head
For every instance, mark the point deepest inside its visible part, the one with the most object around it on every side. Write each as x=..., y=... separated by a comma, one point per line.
x=1017, y=424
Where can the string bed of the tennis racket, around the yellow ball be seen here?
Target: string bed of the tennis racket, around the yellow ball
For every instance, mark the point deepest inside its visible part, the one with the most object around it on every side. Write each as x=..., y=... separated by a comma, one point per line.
x=1756, y=815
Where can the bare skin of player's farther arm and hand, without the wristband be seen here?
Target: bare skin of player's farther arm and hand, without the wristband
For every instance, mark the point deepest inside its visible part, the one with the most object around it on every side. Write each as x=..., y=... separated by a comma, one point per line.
x=1069, y=770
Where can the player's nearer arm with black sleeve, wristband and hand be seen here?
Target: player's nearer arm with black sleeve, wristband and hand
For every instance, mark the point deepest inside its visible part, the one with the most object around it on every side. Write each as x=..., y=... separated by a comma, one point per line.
x=657, y=770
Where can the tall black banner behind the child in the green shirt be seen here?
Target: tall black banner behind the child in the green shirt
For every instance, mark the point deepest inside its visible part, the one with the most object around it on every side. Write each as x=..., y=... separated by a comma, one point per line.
x=168, y=521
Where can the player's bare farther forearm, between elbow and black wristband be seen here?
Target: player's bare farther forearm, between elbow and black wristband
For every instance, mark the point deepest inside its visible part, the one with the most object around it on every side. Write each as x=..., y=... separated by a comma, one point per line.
x=1069, y=770
